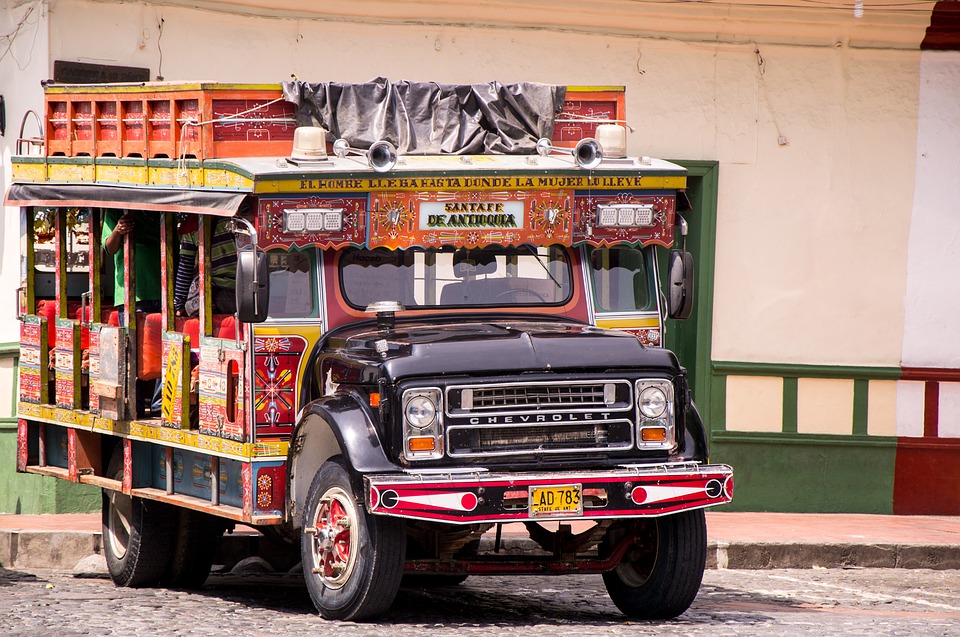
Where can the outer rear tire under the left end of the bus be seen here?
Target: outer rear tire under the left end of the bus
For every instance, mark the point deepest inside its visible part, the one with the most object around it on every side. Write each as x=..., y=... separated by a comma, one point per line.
x=137, y=534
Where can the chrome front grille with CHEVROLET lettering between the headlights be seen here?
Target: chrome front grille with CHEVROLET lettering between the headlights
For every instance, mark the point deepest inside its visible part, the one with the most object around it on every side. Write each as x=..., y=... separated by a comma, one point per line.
x=539, y=418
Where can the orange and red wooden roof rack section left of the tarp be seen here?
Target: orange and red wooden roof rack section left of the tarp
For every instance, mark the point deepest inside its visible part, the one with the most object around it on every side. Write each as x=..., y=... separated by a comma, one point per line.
x=167, y=120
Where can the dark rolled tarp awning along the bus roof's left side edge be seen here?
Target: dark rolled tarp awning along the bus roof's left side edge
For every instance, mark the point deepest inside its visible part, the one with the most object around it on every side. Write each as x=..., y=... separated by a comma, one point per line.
x=224, y=204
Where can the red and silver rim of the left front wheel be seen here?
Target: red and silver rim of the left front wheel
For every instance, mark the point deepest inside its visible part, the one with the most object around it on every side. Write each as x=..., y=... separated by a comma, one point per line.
x=334, y=542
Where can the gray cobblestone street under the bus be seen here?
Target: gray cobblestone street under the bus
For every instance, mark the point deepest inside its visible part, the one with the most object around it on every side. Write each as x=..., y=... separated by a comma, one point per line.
x=875, y=602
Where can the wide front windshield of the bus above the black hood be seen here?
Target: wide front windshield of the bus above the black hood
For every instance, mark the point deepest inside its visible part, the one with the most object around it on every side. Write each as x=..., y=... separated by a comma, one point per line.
x=430, y=278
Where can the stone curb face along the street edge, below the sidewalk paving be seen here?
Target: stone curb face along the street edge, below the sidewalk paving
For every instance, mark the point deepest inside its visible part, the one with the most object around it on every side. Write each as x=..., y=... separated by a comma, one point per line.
x=70, y=550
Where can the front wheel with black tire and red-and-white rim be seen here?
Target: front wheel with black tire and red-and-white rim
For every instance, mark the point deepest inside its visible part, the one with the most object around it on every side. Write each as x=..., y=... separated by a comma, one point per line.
x=352, y=561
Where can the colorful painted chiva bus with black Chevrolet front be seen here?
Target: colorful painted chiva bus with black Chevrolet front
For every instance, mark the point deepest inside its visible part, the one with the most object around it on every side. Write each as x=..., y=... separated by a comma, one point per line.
x=428, y=343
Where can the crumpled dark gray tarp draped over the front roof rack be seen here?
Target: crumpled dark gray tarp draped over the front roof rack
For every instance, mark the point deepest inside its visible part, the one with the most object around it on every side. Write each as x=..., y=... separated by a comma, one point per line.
x=422, y=118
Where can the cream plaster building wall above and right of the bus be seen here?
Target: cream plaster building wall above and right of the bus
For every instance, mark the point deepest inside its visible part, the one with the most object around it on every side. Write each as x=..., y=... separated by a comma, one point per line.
x=811, y=256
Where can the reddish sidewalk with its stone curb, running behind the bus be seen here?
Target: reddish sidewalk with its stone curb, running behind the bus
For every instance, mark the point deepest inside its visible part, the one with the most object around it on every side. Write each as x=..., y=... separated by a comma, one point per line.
x=734, y=540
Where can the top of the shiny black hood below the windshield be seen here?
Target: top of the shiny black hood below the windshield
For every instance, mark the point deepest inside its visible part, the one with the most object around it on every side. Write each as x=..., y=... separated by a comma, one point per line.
x=496, y=346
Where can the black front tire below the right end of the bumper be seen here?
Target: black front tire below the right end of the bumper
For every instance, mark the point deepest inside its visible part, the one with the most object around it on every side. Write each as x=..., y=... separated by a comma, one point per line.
x=659, y=577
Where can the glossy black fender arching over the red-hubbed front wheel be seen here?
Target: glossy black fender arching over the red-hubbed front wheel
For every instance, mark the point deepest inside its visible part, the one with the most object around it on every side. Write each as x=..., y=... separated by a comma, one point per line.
x=337, y=425
